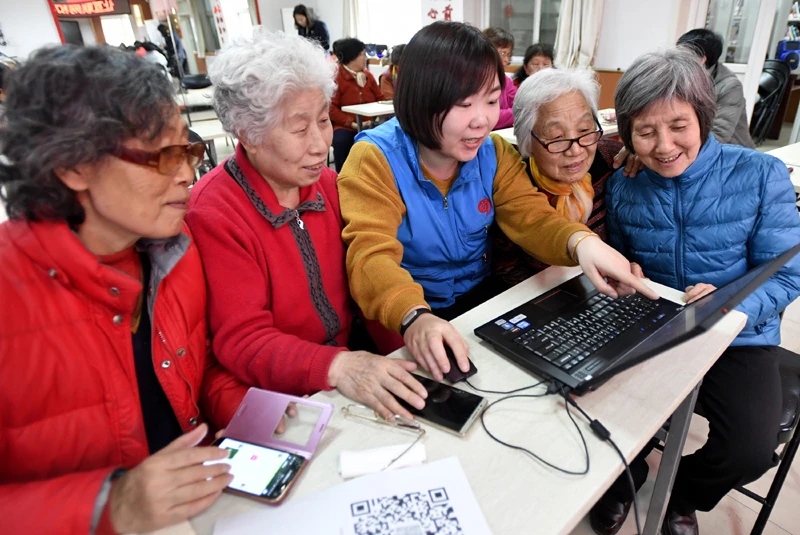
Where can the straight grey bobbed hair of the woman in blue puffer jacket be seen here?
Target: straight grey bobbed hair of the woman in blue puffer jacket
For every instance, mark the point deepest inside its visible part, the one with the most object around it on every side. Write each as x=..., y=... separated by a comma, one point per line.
x=665, y=75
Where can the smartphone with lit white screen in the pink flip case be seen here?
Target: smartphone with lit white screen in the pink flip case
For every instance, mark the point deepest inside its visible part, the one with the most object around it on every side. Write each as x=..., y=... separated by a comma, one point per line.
x=260, y=473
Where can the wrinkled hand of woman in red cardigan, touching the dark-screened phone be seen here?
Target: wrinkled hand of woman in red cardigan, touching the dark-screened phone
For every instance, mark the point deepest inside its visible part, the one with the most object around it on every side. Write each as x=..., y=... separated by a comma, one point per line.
x=371, y=380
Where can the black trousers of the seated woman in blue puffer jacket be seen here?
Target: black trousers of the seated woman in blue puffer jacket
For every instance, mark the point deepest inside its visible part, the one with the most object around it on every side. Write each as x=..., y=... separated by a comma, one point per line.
x=741, y=398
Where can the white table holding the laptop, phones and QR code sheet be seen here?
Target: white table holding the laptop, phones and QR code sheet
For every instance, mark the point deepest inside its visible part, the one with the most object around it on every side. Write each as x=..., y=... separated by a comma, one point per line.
x=514, y=491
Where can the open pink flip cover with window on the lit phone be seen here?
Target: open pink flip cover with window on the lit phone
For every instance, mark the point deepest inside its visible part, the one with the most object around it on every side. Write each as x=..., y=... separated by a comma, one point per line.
x=258, y=416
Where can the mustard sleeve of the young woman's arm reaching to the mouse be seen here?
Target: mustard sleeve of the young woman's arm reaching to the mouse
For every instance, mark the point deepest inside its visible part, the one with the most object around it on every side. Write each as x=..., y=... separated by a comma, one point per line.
x=372, y=210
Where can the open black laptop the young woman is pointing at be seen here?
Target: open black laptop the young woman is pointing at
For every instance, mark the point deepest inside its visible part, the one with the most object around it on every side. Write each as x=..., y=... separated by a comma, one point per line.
x=581, y=338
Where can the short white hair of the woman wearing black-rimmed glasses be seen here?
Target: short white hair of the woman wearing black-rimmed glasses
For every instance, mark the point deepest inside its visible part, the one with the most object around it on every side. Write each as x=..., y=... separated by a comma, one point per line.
x=543, y=88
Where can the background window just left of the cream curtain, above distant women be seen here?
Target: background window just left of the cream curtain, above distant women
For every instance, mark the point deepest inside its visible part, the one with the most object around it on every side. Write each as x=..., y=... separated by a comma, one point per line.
x=529, y=21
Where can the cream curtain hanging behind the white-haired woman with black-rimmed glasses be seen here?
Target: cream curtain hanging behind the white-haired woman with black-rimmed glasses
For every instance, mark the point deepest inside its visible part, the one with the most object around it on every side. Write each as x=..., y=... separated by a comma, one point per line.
x=578, y=32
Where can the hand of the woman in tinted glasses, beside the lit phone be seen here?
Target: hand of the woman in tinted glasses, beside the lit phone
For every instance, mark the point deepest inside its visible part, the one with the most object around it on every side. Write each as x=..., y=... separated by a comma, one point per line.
x=169, y=486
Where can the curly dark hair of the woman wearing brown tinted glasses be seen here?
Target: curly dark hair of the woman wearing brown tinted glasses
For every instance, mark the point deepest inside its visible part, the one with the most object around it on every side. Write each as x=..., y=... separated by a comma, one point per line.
x=71, y=105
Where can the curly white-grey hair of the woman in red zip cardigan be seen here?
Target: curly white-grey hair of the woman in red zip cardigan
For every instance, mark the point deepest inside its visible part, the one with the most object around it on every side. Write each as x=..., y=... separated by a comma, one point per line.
x=255, y=76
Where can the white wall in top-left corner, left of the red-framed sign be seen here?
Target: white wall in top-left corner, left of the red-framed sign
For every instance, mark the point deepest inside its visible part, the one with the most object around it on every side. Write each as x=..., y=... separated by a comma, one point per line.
x=27, y=25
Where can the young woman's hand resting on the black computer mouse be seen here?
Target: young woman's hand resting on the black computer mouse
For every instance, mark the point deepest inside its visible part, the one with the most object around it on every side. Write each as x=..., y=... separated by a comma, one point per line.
x=425, y=338
